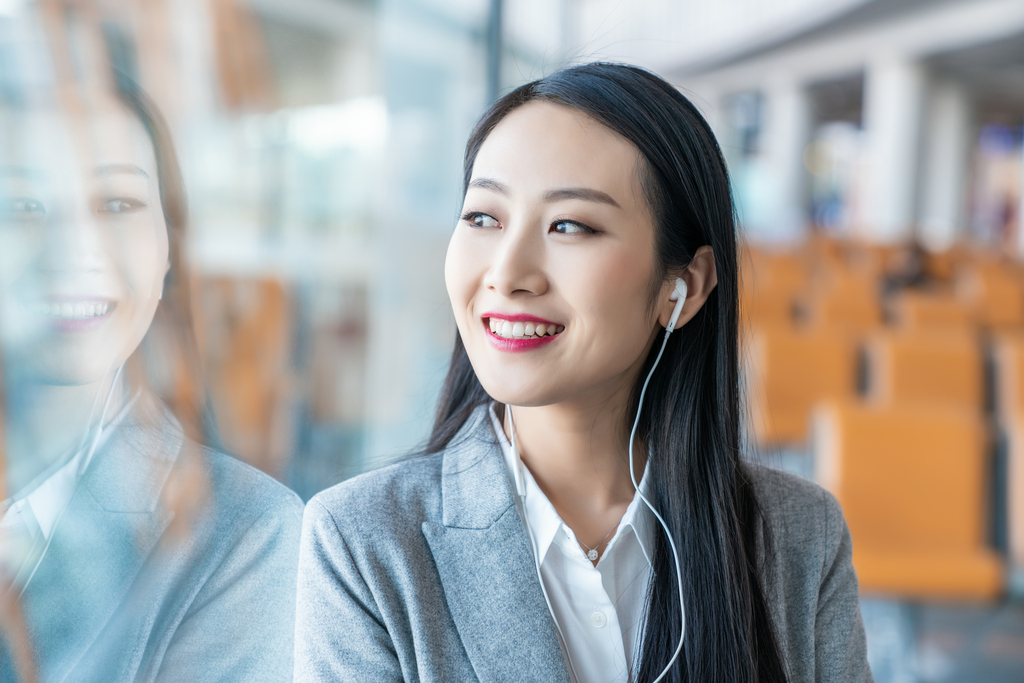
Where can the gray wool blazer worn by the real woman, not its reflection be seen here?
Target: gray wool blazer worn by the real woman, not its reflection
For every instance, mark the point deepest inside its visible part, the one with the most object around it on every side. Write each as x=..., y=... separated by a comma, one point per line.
x=422, y=572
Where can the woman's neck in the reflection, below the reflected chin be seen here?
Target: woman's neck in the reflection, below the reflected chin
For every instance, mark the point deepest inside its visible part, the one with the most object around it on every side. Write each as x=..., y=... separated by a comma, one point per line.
x=47, y=422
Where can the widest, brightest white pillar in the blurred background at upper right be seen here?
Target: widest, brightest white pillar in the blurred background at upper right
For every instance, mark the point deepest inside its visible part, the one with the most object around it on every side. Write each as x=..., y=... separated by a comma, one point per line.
x=894, y=91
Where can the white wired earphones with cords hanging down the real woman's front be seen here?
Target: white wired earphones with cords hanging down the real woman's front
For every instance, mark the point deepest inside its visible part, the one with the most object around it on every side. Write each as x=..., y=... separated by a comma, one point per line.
x=679, y=296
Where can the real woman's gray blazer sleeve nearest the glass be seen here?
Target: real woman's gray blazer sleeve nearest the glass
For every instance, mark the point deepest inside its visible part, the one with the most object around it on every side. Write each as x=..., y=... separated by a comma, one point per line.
x=339, y=632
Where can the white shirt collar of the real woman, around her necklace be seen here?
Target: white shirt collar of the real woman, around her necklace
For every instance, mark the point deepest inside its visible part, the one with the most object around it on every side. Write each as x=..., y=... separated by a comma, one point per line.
x=544, y=521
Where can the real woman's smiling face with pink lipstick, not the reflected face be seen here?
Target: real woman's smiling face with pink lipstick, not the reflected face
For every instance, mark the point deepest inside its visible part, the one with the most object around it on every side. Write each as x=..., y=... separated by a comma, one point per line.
x=551, y=267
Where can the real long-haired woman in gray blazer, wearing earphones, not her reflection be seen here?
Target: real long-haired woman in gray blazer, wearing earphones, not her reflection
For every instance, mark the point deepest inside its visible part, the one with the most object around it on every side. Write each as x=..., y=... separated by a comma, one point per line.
x=521, y=548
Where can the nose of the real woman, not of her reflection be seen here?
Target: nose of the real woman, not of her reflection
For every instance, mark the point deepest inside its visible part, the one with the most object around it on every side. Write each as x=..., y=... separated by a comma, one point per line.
x=519, y=264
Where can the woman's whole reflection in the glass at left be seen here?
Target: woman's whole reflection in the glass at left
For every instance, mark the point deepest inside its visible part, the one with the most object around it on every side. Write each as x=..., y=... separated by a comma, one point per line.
x=133, y=552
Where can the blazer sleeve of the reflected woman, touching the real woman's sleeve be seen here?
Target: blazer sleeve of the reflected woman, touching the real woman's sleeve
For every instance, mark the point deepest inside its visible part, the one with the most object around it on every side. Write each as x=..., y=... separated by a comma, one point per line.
x=240, y=625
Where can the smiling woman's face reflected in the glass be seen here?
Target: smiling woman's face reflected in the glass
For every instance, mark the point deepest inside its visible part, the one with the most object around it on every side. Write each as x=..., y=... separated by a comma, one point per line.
x=83, y=241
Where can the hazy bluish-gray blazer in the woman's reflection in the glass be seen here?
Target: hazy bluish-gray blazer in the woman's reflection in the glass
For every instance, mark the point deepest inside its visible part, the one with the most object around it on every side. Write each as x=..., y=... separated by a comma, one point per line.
x=115, y=601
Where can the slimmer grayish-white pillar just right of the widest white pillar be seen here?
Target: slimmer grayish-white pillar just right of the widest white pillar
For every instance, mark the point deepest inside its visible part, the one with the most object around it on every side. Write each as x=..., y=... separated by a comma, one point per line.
x=948, y=148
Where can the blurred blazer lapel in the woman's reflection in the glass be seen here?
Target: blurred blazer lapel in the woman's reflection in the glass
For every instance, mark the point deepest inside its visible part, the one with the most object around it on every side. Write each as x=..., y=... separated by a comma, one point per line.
x=109, y=530
